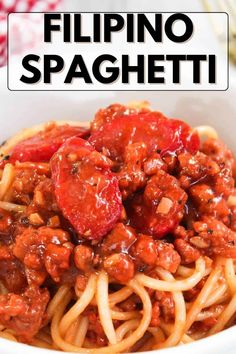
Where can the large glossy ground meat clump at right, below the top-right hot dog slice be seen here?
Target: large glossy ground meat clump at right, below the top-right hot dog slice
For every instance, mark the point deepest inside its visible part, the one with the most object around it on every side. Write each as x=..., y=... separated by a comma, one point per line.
x=208, y=182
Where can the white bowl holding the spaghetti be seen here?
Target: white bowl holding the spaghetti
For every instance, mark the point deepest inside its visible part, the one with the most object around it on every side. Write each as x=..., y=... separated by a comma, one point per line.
x=23, y=109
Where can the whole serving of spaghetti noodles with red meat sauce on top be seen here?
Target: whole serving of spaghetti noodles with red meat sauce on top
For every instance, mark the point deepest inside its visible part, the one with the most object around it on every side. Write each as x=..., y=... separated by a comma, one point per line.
x=113, y=242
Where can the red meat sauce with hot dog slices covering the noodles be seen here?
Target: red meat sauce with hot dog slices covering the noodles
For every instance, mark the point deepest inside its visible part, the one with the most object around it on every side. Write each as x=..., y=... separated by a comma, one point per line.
x=135, y=192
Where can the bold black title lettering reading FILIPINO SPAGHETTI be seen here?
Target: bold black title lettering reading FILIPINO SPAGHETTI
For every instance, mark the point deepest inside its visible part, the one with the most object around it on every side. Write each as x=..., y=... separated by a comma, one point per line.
x=108, y=67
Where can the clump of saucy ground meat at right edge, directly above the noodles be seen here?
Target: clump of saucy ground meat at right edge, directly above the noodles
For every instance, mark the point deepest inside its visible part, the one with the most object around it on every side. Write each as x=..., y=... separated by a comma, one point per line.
x=220, y=239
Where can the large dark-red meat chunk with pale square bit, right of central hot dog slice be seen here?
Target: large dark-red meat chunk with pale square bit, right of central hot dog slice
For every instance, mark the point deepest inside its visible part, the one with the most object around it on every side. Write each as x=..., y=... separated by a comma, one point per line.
x=160, y=208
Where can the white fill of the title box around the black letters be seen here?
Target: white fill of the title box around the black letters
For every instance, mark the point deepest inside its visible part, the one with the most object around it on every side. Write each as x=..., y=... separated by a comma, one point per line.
x=90, y=51
